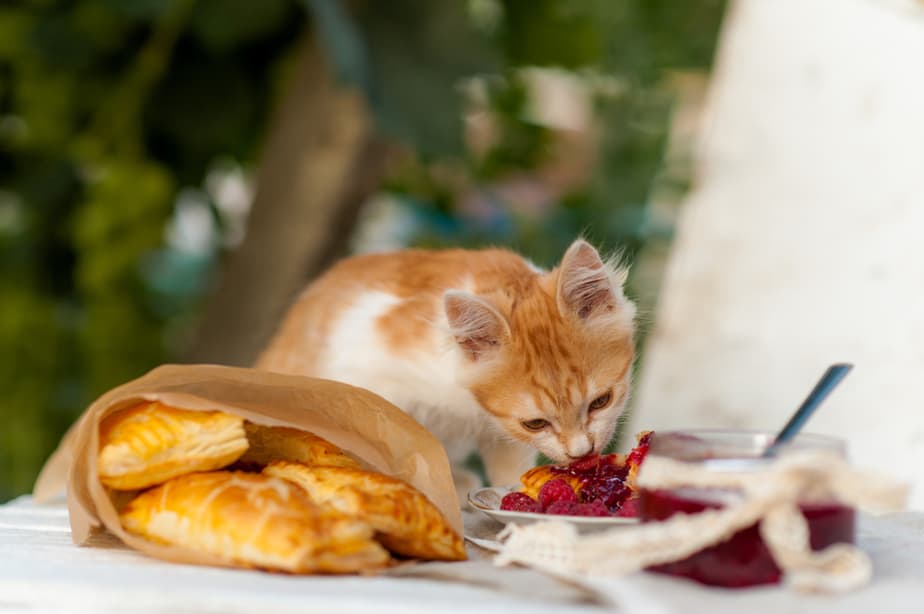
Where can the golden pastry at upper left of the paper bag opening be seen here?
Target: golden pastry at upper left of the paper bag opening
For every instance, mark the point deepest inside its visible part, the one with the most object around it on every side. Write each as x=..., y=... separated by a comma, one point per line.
x=150, y=443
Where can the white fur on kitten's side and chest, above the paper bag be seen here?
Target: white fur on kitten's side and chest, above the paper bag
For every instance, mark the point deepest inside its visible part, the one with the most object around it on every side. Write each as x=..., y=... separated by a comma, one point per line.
x=423, y=384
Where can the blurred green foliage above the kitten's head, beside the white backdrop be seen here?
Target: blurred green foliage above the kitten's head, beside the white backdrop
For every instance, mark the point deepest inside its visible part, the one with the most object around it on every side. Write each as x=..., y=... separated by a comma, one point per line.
x=631, y=46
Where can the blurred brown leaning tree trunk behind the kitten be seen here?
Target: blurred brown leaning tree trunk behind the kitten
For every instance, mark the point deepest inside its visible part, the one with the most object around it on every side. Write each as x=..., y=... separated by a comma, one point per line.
x=321, y=161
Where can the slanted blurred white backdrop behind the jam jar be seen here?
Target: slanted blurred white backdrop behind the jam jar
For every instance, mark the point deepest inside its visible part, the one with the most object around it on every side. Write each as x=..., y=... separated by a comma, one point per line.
x=803, y=242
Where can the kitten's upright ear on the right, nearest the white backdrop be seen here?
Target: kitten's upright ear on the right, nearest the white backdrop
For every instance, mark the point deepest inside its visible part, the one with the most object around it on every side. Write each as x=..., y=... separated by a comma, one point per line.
x=587, y=285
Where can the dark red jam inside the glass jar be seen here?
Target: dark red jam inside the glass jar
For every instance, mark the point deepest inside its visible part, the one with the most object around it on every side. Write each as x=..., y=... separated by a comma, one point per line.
x=742, y=560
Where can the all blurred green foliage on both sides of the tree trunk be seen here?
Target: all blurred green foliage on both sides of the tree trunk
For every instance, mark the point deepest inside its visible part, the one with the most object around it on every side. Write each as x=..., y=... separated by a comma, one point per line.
x=111, y=110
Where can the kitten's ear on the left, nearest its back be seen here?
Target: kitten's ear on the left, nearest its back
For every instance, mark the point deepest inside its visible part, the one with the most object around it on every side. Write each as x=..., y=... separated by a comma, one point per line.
x=478, y=327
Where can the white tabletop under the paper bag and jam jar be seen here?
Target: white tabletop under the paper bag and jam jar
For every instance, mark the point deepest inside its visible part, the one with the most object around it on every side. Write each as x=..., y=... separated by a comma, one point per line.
x=41, y=570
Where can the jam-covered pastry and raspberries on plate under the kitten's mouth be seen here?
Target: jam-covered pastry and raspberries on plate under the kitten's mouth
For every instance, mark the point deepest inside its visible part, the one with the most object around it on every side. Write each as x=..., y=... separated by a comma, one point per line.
x=591, y=486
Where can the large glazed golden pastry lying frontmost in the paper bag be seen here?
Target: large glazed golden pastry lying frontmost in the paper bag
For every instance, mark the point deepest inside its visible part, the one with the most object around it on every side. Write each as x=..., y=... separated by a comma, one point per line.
x=253, y=520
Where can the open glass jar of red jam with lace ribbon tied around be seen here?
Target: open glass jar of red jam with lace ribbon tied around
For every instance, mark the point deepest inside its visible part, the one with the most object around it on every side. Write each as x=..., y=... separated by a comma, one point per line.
x=743, y=559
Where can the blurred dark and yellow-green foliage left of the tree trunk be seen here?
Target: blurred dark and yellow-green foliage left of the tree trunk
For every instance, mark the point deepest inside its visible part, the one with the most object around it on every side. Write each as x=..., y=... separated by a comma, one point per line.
x=107, y=108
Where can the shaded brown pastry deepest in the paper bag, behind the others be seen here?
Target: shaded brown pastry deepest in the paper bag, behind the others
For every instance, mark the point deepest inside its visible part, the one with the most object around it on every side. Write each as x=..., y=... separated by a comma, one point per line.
x=269, y=443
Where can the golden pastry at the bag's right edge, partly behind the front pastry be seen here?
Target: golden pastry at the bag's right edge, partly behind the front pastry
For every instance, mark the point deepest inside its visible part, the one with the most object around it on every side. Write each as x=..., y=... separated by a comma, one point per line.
x=408, y=524
